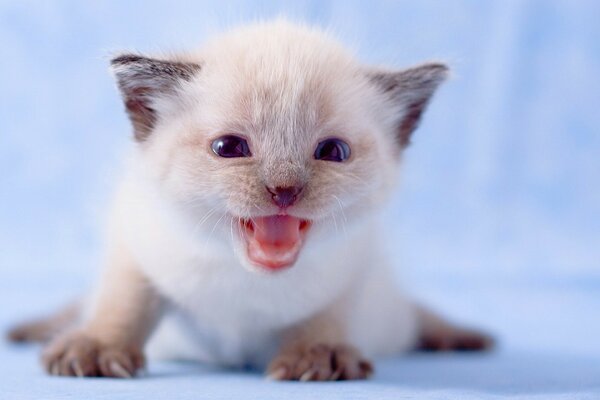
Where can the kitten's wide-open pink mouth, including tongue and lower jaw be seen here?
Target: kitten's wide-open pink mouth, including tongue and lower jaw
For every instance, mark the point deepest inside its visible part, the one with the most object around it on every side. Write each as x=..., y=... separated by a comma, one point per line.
x=274, y=242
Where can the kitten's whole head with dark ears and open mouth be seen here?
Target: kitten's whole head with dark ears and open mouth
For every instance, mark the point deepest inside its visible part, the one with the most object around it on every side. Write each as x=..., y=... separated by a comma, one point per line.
x=272, y=135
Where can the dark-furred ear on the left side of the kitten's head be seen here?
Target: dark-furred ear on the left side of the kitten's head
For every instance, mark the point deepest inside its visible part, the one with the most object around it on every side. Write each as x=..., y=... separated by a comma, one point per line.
x=142, y=81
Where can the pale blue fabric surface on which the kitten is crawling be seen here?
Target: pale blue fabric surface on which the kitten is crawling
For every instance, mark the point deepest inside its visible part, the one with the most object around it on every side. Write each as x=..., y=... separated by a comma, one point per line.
x=547, y=349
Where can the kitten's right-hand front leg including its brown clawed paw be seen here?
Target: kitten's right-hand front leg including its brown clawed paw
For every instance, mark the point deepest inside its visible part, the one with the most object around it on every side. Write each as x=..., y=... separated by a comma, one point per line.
x=317, y=350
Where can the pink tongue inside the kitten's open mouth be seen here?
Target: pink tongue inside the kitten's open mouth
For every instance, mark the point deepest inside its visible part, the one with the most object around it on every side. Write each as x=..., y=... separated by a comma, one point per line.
x=280, y=231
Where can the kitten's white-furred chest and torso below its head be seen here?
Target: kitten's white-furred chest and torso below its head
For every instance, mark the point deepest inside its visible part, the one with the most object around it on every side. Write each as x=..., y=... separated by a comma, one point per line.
x=233, y=317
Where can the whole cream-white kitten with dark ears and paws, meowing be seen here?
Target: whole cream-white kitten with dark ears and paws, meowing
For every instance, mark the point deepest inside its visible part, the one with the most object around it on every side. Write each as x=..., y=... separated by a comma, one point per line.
x=244, y=230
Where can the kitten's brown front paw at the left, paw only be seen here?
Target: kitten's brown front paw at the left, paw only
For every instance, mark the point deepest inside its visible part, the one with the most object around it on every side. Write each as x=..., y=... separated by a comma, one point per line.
x=78, y=354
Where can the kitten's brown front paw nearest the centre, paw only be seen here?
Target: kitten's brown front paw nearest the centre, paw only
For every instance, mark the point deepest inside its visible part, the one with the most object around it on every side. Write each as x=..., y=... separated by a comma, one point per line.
x=320, y=362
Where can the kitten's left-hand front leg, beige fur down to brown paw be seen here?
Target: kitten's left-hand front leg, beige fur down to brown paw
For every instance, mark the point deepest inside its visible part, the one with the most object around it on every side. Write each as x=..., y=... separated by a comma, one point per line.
x=110, y=341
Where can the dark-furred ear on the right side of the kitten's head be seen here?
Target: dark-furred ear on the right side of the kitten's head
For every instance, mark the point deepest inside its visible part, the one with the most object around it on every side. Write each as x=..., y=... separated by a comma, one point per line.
x=409, y=91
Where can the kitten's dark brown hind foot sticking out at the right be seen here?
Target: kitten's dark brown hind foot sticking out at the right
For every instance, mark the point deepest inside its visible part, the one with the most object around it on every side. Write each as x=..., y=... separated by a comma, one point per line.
x=437, y=334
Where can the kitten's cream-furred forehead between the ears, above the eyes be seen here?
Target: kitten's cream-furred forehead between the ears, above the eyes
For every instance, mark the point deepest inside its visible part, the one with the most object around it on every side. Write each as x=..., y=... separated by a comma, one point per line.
x=281, y=97
